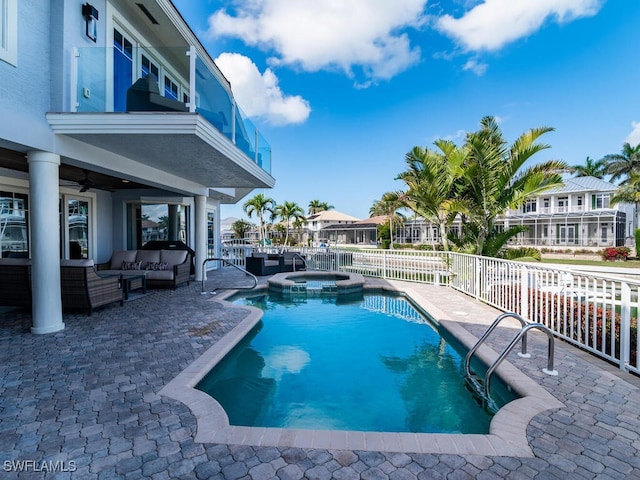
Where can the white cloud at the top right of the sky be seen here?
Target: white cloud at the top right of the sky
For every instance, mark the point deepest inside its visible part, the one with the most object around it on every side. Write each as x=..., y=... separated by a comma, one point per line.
x=494, y=23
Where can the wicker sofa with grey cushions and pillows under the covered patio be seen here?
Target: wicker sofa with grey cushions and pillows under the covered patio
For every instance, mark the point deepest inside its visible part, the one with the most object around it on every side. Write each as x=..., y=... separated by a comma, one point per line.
x=162, y=268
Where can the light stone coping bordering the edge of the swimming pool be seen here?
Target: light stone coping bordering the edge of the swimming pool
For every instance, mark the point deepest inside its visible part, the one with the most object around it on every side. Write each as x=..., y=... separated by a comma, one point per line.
x=507, y=434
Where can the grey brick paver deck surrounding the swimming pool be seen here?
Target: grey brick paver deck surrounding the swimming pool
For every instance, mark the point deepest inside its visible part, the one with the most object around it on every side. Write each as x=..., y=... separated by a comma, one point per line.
x=87, y=399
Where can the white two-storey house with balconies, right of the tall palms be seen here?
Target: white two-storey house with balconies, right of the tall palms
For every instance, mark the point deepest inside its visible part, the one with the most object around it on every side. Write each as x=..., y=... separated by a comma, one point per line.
x=578, y=214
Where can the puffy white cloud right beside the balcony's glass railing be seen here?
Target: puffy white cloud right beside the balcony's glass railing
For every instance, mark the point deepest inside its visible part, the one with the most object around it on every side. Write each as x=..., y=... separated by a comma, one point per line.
x=259, y=95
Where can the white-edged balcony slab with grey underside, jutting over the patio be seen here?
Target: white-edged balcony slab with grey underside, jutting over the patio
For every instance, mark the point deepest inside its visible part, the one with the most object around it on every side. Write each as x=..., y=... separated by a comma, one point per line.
x=181, y=144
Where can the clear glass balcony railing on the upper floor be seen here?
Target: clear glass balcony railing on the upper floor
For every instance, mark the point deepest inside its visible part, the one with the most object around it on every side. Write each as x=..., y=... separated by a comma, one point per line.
x=101, y=77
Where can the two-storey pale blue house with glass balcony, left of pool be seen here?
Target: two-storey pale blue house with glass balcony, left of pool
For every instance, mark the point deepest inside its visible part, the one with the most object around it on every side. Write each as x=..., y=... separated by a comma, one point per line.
x=113, y=112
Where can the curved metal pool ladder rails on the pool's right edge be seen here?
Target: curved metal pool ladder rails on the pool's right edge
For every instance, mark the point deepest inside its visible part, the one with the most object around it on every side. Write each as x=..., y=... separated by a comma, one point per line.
x=522, y=335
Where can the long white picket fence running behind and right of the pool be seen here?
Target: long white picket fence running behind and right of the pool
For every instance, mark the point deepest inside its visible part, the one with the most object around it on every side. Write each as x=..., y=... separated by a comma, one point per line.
x=598, y=313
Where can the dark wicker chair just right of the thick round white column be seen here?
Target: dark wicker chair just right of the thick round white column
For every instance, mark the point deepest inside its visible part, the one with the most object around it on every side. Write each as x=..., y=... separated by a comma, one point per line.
x=83, y=289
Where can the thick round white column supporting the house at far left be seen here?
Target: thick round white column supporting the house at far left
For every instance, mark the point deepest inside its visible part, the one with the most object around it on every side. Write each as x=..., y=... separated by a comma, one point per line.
x=45, y=242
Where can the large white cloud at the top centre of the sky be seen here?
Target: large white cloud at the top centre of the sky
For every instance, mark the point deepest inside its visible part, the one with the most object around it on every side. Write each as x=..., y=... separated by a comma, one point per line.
x=328, y=34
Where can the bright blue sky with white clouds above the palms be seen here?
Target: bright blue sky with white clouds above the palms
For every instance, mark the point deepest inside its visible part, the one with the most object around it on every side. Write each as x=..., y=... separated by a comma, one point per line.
x=343, y=89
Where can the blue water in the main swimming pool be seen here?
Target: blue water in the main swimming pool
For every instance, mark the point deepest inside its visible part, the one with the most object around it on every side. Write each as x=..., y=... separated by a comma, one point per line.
x=348, y=362
